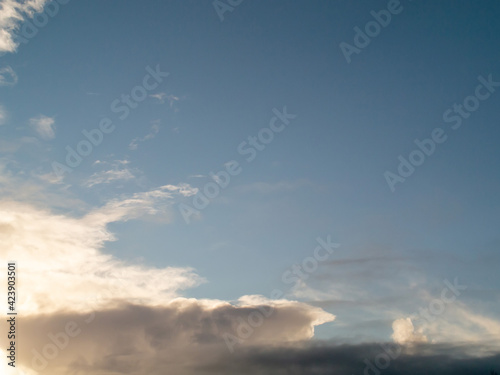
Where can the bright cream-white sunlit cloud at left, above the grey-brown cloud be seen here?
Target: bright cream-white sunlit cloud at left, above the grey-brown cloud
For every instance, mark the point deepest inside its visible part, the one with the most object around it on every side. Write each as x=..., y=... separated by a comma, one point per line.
x=57, y=251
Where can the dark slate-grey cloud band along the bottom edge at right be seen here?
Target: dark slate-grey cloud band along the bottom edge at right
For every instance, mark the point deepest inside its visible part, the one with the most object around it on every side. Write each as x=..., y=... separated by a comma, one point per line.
x=327, y=359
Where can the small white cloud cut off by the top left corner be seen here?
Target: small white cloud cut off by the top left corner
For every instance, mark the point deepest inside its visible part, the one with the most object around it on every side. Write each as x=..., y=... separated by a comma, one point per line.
x=12, y=15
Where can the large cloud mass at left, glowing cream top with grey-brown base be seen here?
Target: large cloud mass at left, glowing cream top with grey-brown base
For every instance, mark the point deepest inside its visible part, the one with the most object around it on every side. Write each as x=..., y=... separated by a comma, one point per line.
x=84, y=311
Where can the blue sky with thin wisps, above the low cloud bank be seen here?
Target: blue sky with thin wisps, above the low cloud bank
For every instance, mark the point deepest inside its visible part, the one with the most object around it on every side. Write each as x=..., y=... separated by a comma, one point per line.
x=323, y=175
